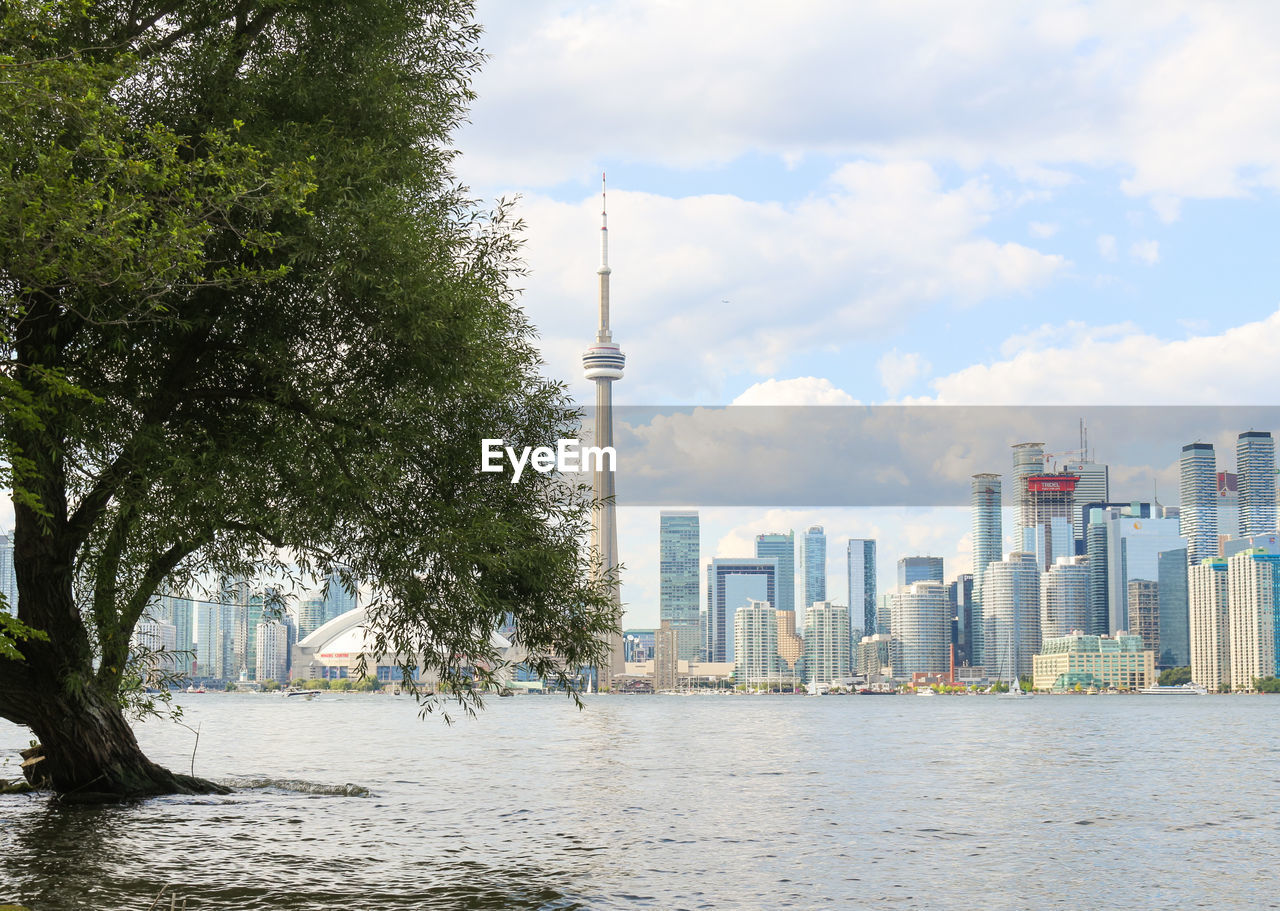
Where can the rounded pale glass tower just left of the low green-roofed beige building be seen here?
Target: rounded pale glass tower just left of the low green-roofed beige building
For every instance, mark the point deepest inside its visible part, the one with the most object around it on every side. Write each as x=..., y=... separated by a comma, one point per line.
x=1012, y=616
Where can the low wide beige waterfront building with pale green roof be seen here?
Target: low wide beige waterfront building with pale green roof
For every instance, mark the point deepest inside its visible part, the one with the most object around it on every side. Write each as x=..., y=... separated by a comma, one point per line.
x=1081, y=661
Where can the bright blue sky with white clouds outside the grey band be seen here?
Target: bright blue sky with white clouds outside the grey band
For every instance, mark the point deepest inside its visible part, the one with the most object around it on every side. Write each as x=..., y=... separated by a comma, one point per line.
x=831, y=204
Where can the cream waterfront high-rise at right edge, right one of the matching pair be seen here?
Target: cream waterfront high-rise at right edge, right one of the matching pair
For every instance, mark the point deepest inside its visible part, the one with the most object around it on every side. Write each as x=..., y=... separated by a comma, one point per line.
x=1254, y=596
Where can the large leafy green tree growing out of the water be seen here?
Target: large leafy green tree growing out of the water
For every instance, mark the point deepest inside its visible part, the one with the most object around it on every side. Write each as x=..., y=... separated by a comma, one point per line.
x=253, y=323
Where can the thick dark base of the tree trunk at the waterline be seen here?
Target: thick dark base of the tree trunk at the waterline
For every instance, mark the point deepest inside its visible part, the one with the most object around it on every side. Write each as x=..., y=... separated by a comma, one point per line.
x=90, y=754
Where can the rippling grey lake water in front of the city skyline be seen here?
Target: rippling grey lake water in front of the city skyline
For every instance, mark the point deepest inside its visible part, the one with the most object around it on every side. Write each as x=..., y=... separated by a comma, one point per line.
x=680, y=803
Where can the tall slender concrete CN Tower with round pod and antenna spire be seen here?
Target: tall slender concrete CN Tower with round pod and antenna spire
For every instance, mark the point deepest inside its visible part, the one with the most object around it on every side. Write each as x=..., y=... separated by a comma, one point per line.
x=604, y=364
